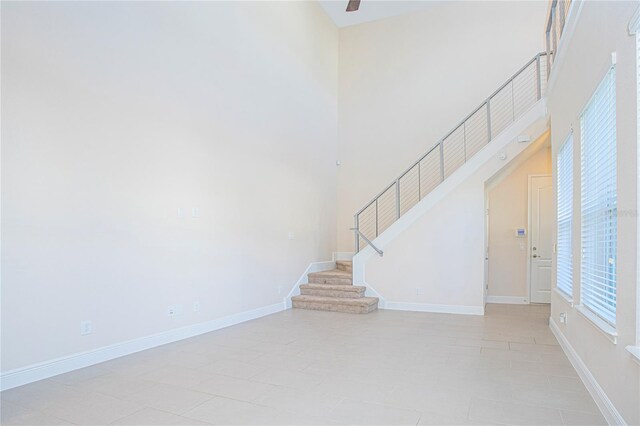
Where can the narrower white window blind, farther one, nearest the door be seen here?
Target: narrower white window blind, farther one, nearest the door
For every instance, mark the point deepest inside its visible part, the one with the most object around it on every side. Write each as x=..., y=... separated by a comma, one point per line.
x=565, y=217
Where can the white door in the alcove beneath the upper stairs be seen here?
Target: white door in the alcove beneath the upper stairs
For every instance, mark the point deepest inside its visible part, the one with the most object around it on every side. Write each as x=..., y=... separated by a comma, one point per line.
x=541, y=248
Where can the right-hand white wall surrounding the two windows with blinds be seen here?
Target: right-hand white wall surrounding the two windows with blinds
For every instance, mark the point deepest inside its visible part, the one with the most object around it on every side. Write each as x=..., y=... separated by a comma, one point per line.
x=582, y=63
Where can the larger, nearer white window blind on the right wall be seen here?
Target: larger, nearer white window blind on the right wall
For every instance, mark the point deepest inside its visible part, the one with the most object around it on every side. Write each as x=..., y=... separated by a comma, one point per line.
x=599, y=225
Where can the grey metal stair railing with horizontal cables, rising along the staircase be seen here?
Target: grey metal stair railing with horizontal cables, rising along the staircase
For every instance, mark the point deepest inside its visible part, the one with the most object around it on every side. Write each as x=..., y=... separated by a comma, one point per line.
x=502, y=108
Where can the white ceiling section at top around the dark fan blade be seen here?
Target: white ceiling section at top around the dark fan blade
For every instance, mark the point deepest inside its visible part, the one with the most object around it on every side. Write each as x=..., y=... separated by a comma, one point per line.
x=371, y=10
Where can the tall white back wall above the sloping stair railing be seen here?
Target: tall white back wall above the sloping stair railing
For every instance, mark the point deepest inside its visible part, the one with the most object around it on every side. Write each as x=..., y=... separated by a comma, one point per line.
x=406, y=81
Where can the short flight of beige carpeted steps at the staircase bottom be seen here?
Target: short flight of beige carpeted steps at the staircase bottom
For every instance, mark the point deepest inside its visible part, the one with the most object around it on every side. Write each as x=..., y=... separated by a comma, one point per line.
x=334, y=291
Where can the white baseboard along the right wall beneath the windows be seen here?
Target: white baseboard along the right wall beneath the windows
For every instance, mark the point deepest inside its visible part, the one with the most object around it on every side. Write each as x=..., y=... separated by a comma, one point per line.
x=603, y=402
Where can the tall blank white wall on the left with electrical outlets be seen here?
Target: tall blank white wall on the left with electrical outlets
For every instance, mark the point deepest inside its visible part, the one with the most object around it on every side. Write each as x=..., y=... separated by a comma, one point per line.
x=117, y=114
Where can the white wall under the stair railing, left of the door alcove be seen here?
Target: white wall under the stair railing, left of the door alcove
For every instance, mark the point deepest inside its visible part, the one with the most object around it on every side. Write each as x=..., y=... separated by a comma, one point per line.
x=434, y=255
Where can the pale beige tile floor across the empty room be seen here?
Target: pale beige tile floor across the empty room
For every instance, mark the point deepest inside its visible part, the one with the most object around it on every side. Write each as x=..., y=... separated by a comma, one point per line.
x=308, y=367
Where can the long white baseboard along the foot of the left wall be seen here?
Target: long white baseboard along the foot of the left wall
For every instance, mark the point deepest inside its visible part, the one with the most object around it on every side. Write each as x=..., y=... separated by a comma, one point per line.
x=44, y=370
